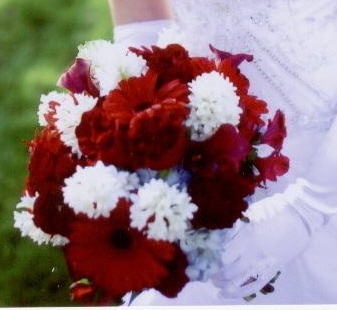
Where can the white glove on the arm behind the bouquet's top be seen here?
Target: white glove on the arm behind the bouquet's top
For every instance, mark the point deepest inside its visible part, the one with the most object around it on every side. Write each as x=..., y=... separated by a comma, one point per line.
x=140, y=33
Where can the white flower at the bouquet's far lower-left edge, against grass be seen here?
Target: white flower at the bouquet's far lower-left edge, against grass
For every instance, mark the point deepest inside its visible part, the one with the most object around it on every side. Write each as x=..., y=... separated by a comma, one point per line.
x=23, y=220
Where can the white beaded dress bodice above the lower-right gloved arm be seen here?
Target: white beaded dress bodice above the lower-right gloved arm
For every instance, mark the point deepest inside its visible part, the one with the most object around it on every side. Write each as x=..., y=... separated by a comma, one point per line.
x=295, y=60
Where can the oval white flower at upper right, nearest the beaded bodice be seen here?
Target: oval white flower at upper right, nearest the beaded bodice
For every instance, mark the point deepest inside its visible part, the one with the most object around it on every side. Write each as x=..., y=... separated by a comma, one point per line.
x=213, y=102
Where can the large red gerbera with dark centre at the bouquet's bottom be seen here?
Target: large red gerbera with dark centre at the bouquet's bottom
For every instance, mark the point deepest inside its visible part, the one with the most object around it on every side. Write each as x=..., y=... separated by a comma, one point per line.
x=115, y=257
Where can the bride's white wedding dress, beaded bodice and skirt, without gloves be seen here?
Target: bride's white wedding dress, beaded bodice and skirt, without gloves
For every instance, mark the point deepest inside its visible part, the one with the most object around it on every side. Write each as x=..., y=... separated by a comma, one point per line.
x=294, y=43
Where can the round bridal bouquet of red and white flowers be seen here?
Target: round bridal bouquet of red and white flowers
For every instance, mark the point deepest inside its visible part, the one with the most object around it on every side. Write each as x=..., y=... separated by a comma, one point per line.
x=142, y=166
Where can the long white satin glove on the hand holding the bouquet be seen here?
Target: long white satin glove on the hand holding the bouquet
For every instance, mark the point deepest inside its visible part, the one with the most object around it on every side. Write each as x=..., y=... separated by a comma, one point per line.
x=280, y=226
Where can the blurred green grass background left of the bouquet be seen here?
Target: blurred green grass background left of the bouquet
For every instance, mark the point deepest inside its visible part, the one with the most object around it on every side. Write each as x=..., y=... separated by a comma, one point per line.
x=38, y=40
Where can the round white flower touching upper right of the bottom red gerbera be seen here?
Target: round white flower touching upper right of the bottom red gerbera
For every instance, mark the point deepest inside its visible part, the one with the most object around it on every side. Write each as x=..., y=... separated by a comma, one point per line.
x=169, y=207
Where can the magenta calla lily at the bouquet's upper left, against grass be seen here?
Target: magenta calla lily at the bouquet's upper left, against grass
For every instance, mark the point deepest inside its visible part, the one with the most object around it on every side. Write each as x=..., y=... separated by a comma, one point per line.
x=78, y=79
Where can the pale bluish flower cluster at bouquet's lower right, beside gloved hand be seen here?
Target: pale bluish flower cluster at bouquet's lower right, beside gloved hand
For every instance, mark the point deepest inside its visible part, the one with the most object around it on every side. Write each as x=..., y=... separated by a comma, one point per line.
x=203, y=250
